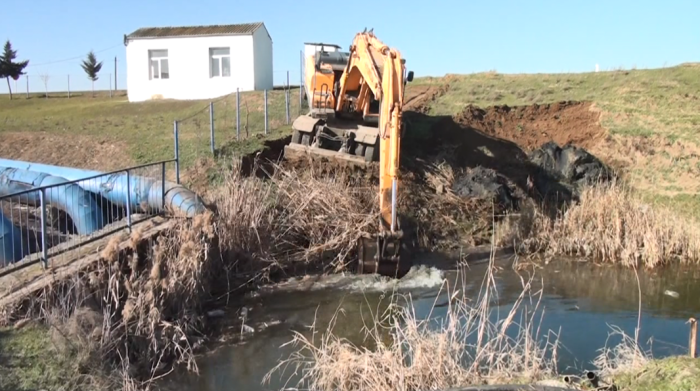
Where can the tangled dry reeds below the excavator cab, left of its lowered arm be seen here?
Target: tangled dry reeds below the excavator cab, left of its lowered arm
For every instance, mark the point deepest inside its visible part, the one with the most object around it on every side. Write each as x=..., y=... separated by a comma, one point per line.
x=293, y=217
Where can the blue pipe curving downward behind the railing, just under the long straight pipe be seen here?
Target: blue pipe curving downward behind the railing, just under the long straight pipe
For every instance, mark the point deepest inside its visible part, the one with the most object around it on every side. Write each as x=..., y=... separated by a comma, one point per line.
x=80, y=205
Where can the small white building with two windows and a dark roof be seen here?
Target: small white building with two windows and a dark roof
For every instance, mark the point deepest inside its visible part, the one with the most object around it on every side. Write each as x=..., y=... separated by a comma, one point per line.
x=199, y=62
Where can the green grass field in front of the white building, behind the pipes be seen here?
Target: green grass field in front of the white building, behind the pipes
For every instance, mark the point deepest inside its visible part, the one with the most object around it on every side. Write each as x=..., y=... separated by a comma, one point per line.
x=141, y=132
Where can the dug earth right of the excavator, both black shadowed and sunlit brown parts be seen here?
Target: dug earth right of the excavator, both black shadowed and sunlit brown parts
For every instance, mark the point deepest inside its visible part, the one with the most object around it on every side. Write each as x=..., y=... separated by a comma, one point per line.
x=499, y=138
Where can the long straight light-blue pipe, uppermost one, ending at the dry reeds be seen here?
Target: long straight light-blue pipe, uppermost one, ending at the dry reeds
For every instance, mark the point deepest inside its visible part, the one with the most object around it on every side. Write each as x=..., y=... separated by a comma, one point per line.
x=113, y=187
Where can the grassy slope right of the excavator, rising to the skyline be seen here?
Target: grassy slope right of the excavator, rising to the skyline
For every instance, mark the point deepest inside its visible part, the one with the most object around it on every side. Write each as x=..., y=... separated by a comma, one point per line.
x=652, y=116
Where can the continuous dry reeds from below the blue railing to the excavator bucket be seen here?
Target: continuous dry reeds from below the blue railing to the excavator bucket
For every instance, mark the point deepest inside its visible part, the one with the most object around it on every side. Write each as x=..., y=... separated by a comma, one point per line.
x=146, y=302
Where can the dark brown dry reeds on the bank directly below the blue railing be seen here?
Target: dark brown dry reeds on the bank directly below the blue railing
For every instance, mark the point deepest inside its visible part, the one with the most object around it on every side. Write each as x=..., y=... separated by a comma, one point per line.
x=134, y=311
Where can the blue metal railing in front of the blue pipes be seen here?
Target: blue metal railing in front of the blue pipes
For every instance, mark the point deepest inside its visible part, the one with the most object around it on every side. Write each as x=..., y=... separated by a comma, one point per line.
x=64, y=219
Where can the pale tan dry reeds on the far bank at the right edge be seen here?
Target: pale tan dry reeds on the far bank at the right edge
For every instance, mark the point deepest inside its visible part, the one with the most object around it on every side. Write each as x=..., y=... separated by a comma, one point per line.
x=609, y=224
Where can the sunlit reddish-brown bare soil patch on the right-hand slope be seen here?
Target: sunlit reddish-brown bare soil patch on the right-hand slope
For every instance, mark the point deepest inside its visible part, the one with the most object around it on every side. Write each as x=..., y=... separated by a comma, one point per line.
x=531, y=126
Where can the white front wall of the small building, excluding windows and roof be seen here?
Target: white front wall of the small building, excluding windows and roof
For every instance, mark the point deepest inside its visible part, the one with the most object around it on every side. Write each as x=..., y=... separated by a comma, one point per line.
x=189, y=68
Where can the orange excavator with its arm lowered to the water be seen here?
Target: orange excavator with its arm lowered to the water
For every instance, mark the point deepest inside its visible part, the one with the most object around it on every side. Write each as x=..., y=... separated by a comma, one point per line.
x=355, y=108
